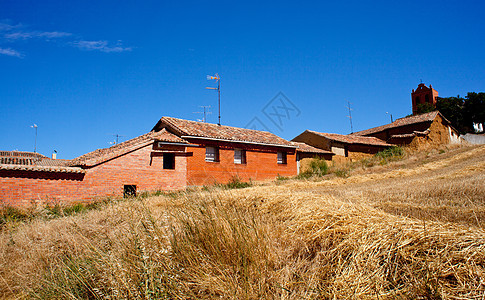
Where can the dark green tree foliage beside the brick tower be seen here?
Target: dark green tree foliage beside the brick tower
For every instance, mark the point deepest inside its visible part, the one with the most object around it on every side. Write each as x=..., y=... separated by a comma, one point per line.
x=463, y=112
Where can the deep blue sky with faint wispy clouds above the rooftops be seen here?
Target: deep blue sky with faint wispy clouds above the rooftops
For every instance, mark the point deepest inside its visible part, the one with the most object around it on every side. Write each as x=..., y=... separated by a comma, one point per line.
x=85, y=70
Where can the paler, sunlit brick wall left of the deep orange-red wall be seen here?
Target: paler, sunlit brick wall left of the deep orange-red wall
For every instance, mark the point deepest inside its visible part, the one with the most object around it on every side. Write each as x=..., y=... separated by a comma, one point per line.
x=20, y=188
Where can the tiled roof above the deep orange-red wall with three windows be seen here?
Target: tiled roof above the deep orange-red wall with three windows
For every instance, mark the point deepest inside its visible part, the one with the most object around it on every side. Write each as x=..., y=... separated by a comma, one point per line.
x=186, y=129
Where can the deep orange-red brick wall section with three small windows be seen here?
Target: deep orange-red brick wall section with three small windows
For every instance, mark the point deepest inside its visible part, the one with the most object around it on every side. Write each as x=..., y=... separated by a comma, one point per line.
x=260, y=164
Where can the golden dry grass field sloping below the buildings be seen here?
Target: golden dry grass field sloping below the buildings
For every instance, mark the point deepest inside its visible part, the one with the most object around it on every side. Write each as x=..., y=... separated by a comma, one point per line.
x=410, y=229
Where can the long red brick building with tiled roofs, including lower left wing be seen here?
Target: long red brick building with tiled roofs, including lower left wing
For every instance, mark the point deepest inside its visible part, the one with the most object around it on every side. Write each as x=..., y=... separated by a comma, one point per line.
x=175, y=154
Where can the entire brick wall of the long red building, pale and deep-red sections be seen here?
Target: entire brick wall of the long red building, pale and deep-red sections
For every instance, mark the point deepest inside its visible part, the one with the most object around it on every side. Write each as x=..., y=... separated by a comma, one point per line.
x=144, y=169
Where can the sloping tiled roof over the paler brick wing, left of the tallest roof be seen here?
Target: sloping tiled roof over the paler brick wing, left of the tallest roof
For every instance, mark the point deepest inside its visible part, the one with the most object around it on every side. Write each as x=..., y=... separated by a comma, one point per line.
x=101, y=155
